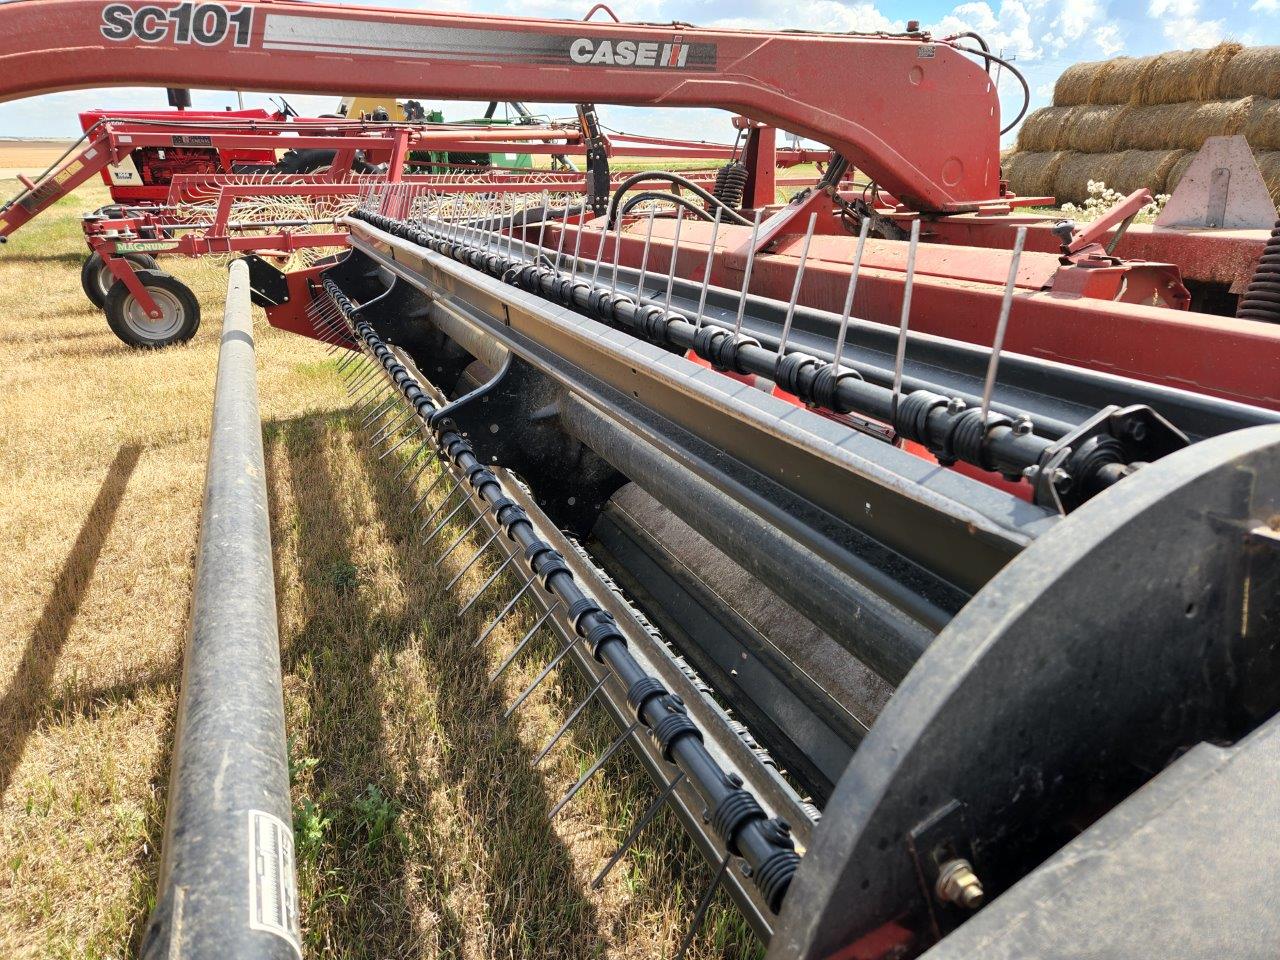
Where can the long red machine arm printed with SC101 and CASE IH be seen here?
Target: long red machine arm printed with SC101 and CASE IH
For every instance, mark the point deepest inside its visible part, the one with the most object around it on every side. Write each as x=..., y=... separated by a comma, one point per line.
x=918, y=117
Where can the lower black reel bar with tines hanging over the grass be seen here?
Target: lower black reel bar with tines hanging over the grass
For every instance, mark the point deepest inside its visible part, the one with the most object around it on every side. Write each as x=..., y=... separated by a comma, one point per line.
x=734, y=813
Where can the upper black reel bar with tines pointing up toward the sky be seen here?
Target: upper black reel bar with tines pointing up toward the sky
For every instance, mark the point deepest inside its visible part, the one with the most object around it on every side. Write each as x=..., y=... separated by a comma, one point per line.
x=953, y=431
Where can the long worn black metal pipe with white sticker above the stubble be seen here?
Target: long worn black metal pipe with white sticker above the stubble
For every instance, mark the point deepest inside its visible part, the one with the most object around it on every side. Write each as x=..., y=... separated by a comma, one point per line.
x=227, y=879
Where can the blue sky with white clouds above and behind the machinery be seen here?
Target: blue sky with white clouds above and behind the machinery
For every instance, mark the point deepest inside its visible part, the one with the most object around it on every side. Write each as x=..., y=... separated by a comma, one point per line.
x=1043, y=38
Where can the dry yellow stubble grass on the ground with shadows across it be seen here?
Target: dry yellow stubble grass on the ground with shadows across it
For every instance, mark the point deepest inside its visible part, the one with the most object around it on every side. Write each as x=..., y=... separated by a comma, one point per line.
x=420, y=816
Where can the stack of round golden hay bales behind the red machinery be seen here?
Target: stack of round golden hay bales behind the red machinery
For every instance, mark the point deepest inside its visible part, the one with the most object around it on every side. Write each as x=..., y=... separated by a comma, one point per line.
x=1139, y=122
